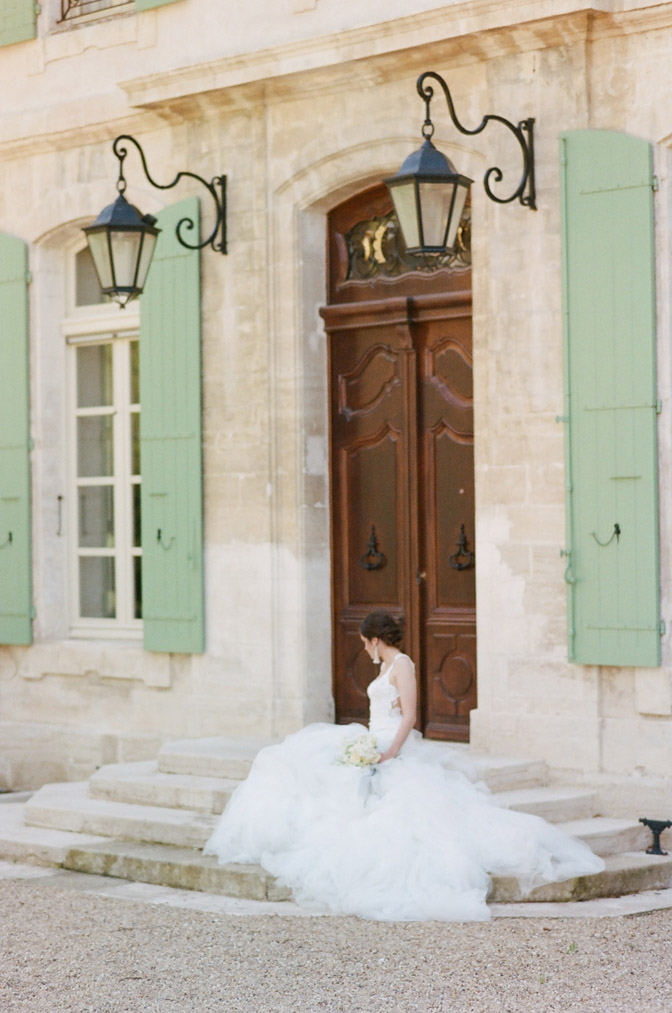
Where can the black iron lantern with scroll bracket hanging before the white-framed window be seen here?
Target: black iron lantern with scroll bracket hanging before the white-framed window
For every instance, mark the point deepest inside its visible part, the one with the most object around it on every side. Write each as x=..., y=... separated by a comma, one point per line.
x=122, y=240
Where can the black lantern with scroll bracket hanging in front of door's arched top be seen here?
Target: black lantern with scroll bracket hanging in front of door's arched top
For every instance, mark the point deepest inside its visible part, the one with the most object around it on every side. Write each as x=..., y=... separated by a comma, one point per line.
x=428, y=192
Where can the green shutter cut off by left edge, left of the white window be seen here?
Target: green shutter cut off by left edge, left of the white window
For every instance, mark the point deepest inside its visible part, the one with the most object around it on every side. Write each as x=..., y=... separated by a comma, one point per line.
x=16, y=590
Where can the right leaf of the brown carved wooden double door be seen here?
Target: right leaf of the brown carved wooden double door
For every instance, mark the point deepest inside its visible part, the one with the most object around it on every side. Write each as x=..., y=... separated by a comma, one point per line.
x=447, y=607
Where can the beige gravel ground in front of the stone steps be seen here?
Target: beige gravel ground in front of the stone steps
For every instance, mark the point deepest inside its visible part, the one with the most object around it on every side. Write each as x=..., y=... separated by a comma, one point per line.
x=63, y=951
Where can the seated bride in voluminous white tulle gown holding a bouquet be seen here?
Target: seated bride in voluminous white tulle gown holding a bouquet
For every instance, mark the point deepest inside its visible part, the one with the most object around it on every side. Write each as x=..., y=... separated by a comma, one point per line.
x=383, y=824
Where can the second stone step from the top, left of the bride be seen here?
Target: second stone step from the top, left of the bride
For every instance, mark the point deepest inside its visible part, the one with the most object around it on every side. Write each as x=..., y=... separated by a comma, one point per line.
x=144, y=785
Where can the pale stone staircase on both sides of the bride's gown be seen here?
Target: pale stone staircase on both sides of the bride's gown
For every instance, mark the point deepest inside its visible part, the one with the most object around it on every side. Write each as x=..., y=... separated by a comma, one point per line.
x=148, y=822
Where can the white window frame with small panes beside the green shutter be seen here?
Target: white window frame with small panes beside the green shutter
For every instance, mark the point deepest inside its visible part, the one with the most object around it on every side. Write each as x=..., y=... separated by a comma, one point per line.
x=85, y=326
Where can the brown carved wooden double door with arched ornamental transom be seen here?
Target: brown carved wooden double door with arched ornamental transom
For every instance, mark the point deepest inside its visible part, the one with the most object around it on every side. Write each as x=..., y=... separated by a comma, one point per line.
x=402, y=460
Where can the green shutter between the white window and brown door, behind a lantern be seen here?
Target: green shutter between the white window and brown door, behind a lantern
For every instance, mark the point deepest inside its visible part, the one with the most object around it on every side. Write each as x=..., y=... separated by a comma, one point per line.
x=171, y=442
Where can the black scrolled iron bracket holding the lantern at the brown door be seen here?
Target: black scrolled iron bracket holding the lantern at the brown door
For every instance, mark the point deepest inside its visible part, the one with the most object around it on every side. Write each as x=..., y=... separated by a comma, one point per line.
x=524, y=132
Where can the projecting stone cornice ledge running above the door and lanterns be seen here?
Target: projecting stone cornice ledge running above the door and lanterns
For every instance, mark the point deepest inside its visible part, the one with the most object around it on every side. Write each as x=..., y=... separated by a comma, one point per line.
x=468, y=32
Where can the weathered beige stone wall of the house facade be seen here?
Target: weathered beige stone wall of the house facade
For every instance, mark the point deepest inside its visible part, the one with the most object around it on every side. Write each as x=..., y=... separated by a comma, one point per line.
x=301, y=119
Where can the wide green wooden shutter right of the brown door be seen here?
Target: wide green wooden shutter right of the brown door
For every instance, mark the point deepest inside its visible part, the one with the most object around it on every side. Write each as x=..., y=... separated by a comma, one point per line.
x=611, y=391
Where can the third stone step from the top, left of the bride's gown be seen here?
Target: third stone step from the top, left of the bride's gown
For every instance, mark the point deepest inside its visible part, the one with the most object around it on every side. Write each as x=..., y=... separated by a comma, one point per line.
x=70, y=808
